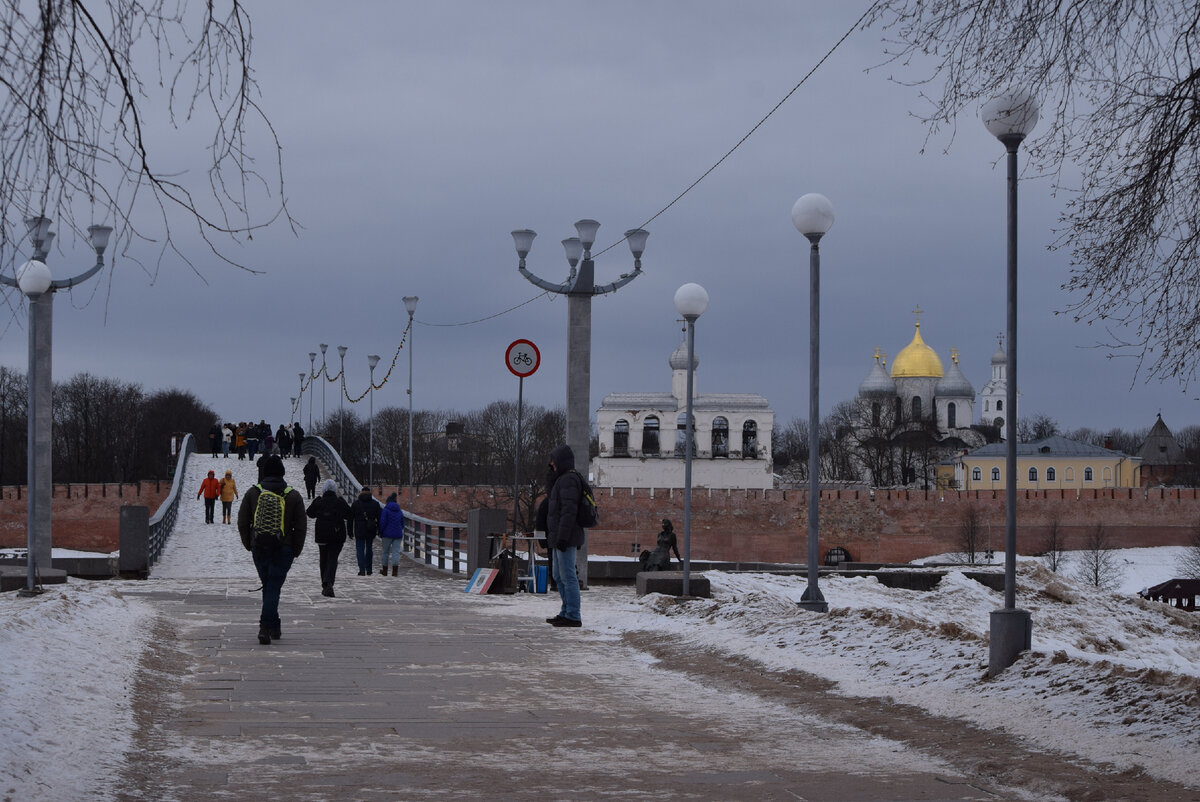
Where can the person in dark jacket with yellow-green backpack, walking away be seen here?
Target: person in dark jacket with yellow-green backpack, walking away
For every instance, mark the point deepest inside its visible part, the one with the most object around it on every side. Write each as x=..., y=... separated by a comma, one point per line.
x=273, y=555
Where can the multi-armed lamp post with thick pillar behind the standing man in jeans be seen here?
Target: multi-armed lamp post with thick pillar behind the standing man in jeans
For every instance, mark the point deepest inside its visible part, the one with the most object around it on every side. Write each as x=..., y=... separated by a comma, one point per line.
x=579, y=288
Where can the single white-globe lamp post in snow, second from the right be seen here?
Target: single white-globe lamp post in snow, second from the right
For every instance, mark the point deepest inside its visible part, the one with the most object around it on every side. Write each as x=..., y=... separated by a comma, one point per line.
x=813, y=217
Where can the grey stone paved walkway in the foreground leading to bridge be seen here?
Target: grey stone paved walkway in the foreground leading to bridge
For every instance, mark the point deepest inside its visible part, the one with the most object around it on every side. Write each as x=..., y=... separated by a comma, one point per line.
x=406, y=689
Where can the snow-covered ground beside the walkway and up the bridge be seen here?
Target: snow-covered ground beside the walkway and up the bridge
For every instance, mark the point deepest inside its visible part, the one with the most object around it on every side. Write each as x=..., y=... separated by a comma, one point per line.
x=1112, y=678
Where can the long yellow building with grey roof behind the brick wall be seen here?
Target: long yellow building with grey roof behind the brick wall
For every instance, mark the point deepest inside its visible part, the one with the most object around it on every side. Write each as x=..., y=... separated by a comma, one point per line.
x=1049, y=464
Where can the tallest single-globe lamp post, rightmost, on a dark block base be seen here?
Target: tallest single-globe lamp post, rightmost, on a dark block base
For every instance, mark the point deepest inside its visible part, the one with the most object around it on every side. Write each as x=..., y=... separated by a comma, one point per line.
x=1010, y=118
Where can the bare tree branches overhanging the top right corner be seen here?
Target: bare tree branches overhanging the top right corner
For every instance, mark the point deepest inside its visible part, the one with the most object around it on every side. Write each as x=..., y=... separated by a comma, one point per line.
x=1120, y=89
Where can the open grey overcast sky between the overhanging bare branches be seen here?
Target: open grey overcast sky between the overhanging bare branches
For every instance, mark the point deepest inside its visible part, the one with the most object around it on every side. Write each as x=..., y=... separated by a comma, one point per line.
x=418, y=135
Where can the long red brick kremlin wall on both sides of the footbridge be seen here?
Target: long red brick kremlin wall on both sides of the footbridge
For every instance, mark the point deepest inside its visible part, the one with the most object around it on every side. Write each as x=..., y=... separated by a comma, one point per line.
x=728, y=525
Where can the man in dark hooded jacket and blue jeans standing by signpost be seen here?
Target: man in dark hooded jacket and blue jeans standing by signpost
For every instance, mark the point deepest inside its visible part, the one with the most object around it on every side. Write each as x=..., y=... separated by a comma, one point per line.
x=565, y=536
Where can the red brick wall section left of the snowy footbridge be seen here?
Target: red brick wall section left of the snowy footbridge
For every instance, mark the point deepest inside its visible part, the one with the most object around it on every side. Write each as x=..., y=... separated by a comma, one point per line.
x=85, y=518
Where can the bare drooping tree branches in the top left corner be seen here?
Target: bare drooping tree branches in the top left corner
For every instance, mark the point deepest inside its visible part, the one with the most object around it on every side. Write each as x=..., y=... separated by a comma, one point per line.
x=91, y=95
